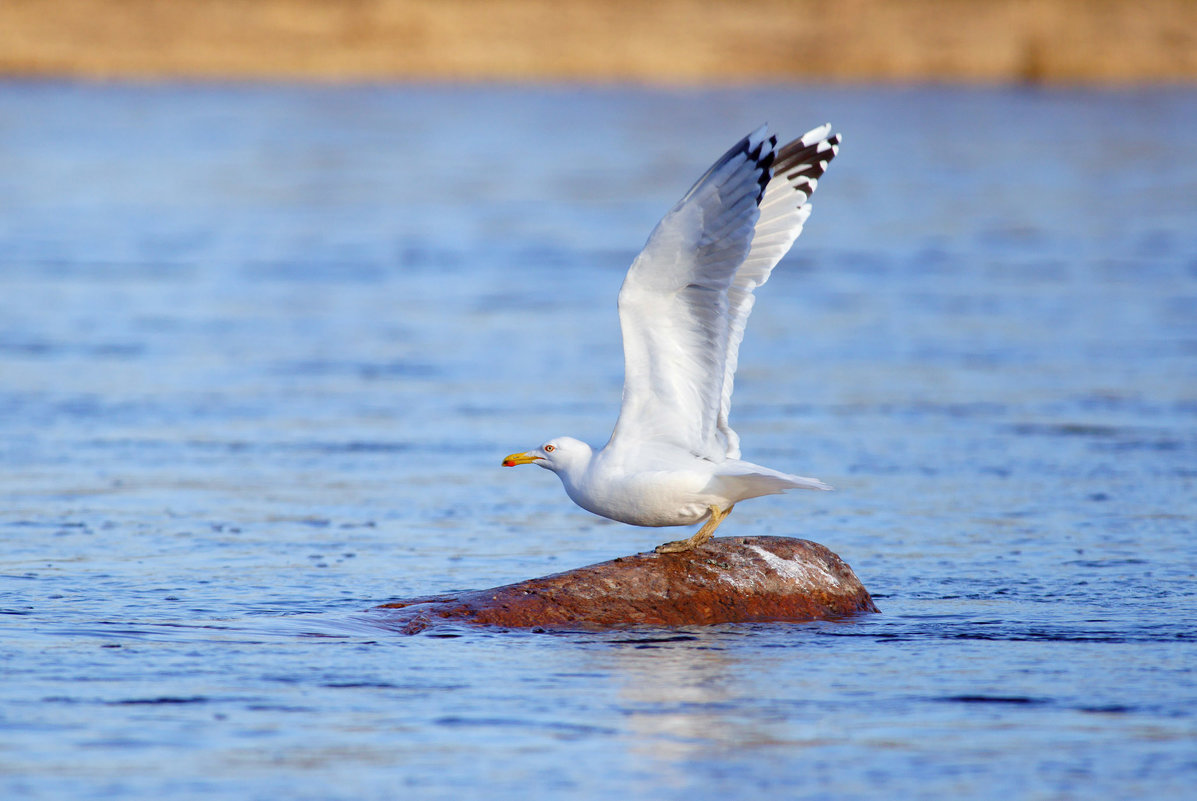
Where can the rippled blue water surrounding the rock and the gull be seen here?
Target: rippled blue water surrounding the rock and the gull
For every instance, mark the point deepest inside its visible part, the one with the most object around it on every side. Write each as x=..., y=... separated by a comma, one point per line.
x=262, y=349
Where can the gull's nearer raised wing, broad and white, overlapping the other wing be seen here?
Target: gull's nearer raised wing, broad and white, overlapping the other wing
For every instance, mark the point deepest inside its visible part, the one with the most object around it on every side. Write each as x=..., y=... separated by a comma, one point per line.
x=675, y=306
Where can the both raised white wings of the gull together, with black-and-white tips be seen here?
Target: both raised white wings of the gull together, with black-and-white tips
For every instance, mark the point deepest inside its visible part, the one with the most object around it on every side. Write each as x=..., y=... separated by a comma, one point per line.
x=688, y=295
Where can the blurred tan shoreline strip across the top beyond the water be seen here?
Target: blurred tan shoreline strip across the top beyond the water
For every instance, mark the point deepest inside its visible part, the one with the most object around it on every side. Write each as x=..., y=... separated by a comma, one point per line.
x=671, y=41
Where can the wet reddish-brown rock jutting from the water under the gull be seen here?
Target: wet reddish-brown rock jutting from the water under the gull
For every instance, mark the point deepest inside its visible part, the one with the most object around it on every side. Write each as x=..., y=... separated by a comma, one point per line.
x=728, y=580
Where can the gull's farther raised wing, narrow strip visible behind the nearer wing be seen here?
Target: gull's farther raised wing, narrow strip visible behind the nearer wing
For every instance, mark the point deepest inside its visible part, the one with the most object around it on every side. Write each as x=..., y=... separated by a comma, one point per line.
x=783, y=211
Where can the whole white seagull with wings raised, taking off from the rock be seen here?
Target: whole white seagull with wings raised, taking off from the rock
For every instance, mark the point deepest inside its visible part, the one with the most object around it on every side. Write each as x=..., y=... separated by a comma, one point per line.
x=673, y=459
